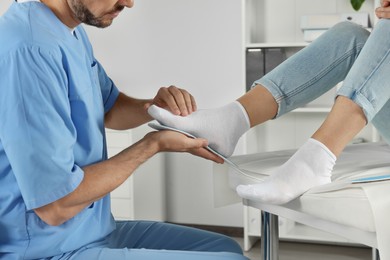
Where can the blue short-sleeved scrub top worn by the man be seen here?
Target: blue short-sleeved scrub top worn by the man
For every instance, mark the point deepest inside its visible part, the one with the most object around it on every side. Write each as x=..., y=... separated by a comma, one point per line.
x=53, y=97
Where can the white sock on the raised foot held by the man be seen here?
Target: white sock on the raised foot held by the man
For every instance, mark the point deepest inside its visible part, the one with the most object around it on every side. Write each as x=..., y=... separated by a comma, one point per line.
x=222, y=126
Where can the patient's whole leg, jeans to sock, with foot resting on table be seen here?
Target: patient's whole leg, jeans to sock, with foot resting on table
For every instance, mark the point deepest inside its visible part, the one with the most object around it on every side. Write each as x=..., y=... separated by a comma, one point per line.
x=362, y=98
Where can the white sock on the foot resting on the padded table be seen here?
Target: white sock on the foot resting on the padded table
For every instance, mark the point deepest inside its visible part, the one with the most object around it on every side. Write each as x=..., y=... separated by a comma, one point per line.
x=310, y=166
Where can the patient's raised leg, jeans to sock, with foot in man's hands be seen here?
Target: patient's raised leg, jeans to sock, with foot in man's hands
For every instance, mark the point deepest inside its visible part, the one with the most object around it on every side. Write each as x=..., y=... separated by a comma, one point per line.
x=297, y=81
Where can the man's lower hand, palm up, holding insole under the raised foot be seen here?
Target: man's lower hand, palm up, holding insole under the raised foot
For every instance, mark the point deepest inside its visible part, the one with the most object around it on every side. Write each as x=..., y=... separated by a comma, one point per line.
x=170, y=141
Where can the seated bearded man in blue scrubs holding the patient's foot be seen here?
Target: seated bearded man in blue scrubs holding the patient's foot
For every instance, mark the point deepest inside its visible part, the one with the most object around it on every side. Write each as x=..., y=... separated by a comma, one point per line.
x=55, y=179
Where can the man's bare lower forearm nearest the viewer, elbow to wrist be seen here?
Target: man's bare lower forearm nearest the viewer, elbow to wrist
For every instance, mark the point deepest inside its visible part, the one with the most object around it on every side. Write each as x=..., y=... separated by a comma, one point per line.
x=99, y=180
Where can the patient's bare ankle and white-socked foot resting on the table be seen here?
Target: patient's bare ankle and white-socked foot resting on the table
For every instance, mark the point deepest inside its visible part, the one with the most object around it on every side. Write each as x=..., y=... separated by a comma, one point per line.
x=313, y=163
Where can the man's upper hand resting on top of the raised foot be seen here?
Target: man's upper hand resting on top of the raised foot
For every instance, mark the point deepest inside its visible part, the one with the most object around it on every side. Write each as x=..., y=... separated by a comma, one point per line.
x=174, y=99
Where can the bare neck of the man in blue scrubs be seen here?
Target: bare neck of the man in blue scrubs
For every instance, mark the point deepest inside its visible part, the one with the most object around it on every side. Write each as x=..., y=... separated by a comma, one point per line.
x=62, y=10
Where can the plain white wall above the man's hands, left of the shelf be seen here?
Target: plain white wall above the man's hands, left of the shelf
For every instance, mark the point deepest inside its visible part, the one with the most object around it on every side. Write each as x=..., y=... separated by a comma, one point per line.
x=192, y=44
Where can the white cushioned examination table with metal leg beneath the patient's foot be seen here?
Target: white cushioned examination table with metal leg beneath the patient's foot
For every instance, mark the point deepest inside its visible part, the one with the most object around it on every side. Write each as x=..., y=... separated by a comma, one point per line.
x=356, y=211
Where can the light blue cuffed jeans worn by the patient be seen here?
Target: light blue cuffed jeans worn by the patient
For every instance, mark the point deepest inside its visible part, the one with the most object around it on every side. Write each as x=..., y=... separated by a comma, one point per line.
x=348, y=53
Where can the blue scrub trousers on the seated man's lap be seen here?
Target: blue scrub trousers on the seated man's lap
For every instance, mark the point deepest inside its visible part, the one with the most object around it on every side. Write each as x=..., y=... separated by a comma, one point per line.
x=147, y=240
